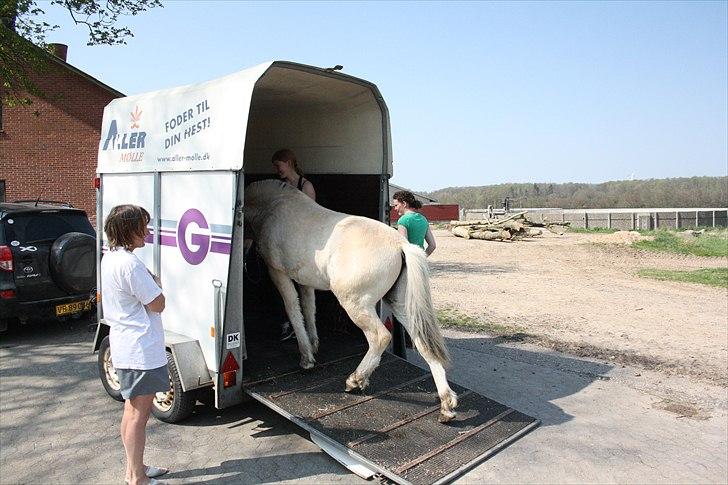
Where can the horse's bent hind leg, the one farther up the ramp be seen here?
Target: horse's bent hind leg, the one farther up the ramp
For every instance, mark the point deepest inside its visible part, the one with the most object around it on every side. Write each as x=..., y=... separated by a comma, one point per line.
x=378, y=337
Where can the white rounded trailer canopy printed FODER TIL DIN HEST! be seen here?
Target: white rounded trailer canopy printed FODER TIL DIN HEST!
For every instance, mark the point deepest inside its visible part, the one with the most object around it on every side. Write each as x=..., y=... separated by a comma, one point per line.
x=334, y=122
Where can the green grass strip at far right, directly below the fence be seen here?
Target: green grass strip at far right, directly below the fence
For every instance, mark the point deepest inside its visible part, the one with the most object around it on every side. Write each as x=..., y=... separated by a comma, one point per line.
x=713, y=243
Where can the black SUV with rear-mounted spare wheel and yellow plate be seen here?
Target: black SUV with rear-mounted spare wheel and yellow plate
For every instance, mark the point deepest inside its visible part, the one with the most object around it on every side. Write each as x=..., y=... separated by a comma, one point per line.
x=47, y=261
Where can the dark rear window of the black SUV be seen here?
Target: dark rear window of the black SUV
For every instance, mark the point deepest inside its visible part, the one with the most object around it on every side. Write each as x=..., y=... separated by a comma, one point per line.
x=37, y=227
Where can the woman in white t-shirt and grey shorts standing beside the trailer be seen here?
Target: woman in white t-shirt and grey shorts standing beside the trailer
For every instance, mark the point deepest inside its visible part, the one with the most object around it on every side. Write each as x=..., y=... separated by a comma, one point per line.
x=133, y=300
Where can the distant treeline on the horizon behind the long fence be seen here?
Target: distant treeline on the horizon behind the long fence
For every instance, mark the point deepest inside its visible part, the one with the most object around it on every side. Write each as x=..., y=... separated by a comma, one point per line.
x=671, y=192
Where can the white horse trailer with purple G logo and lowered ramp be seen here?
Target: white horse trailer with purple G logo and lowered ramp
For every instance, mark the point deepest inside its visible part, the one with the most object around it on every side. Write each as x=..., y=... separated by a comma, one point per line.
x=186, y=154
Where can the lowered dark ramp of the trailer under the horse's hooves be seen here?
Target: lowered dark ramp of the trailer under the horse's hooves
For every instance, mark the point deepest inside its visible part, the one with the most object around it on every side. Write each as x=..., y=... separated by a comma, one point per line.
x=392, y=426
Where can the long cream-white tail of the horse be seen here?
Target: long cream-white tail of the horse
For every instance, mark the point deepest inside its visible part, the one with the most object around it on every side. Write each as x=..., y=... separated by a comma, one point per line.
x=419, y=314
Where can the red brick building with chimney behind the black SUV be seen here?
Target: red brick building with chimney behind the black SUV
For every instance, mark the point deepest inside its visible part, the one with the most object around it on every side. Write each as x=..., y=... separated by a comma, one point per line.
x=49, y=148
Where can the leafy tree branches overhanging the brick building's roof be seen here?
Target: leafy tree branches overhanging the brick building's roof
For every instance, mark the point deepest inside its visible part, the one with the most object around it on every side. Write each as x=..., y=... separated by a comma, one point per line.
x=23, y=49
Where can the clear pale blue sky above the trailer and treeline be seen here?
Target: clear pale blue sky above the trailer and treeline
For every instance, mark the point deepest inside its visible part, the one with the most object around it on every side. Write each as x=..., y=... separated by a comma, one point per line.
x=478, y=93
